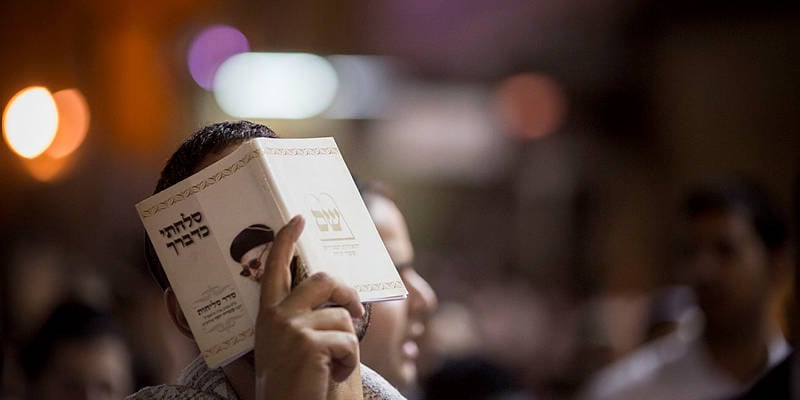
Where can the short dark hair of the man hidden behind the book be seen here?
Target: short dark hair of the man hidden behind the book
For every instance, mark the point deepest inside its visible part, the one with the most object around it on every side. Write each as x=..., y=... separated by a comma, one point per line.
x=207, y=140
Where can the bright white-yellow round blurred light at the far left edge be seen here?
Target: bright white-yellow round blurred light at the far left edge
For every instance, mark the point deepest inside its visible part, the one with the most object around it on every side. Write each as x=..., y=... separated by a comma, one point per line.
x=30, y=121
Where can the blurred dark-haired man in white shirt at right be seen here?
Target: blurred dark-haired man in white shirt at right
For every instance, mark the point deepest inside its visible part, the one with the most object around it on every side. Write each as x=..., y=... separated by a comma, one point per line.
x=737, y=261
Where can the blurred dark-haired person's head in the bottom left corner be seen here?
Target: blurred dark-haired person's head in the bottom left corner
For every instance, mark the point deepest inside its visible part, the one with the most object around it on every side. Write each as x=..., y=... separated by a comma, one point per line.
x=79, y=353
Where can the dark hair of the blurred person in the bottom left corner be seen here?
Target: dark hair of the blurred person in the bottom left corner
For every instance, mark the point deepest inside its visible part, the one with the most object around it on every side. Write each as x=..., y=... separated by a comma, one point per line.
x=71, y=321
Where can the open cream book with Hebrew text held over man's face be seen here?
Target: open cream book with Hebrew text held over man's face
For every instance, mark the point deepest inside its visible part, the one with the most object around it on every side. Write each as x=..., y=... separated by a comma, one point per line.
x=213, y=230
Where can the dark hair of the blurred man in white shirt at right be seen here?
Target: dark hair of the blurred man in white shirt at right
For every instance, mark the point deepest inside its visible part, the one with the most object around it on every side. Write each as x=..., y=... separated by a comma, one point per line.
x=729, y=195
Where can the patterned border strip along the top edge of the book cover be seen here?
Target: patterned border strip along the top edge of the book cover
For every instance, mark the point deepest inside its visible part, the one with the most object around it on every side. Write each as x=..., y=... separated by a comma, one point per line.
x=232, y=170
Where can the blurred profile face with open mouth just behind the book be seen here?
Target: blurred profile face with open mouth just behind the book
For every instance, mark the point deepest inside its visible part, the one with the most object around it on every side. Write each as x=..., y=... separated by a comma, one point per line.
x=390, y=346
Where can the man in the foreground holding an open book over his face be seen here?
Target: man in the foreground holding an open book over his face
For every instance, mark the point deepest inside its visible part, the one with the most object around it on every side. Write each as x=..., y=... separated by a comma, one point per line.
x=302, y=349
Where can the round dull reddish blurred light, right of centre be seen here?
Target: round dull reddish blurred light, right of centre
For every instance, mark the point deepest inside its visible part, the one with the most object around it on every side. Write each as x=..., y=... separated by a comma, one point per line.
x=530, y=105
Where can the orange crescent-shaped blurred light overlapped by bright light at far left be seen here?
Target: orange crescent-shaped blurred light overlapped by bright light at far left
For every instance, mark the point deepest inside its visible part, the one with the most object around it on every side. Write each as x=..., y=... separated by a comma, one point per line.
x=73, y=122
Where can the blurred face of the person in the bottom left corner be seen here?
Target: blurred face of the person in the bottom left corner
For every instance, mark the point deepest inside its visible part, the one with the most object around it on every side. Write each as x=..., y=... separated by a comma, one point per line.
x=92, y=369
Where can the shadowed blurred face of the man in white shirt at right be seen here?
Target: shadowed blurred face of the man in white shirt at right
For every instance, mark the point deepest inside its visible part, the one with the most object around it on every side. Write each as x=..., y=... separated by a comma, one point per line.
x=729, y=267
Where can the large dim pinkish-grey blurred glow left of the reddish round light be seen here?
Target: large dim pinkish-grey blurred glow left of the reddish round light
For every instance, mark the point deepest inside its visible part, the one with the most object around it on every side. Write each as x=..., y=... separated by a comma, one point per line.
x=439, y=133
